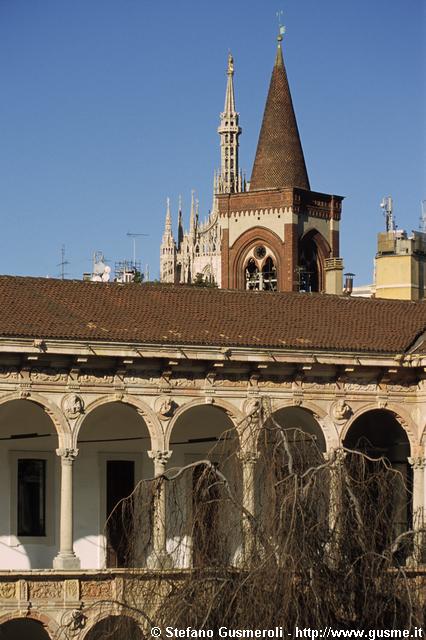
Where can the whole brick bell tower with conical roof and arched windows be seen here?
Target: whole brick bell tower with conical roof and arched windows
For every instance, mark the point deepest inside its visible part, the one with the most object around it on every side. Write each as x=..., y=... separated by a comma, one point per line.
x=280, y=235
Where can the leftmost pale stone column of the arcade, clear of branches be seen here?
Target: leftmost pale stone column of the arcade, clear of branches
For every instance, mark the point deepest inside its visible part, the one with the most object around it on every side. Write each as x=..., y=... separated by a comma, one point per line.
x=66, y=558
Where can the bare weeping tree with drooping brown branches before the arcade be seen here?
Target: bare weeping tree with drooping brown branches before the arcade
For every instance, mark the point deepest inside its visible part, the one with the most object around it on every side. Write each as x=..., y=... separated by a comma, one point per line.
x=324, y=548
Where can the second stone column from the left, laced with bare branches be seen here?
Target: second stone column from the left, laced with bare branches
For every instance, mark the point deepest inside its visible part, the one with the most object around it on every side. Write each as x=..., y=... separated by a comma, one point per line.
x=160, y=557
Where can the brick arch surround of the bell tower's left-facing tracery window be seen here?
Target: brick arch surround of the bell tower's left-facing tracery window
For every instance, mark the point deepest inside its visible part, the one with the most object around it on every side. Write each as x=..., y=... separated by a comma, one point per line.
x=244, y=244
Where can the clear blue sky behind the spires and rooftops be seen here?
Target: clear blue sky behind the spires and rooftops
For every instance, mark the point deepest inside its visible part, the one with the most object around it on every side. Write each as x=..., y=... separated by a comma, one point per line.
x=109, y=106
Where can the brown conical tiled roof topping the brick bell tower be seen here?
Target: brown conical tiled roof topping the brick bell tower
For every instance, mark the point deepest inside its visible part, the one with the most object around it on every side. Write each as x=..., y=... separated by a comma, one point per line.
x=279, y=160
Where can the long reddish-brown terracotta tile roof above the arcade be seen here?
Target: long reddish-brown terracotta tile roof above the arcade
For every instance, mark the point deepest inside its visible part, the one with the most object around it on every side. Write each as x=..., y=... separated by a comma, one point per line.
x=168, y=314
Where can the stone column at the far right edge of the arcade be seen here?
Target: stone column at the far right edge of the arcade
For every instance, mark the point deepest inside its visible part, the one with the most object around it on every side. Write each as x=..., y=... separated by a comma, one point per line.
x=418, y=464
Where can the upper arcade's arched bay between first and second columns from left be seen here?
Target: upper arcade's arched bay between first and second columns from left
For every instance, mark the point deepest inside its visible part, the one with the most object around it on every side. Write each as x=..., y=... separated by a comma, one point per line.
x=113, y=438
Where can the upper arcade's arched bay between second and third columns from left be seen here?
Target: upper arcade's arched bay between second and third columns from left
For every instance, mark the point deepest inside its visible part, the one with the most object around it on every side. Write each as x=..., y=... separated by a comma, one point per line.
x=203, y=437
